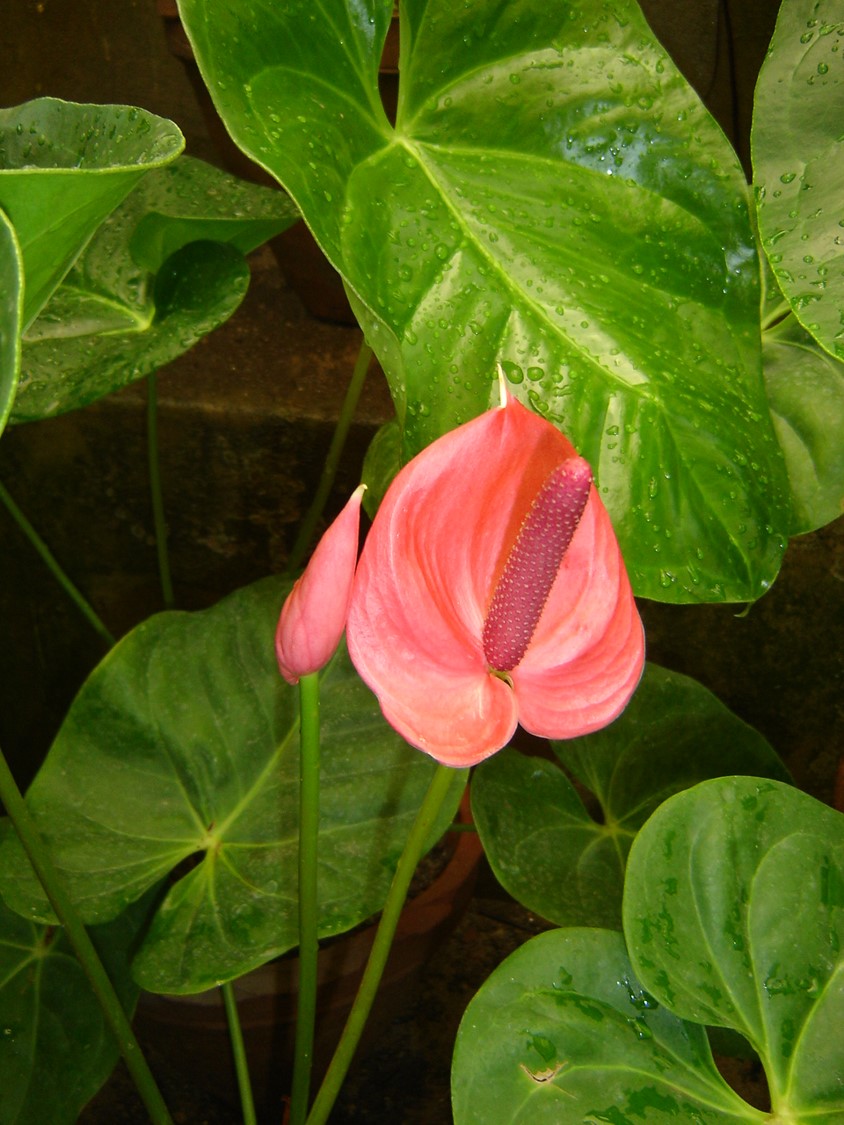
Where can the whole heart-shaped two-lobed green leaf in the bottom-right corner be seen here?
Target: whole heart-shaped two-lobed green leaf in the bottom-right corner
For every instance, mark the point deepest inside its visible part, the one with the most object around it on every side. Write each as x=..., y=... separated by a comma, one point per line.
x=734, y=916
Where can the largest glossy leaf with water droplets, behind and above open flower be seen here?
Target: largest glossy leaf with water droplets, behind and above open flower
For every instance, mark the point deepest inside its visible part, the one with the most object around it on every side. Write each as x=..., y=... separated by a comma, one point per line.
x=555, y=199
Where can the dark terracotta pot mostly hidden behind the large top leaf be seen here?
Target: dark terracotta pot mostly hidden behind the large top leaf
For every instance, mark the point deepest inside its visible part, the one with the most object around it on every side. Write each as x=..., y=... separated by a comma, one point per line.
x=307, y=271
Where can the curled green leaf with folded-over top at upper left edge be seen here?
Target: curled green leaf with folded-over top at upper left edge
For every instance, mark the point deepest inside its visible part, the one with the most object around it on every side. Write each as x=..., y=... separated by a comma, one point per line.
x=64, y=169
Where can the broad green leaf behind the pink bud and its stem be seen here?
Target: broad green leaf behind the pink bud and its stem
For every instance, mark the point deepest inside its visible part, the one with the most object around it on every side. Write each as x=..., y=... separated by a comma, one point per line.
x=179, y=759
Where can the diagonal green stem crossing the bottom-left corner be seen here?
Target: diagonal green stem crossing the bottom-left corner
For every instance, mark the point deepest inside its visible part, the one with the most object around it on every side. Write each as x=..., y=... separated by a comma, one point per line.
x=83, y=947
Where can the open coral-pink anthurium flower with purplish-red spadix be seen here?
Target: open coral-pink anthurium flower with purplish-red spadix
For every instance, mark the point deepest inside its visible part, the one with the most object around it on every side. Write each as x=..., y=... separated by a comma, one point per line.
x=492, y=592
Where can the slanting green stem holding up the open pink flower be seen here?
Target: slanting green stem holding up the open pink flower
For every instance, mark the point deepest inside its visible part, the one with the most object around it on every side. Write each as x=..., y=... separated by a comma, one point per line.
x=414, y=849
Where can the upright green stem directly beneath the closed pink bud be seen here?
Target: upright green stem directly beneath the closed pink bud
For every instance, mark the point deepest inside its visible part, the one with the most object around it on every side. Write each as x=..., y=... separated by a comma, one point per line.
x=309, y=906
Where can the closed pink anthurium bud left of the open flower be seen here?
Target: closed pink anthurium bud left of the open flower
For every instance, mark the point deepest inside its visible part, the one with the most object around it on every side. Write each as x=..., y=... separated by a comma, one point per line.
x=313, y=617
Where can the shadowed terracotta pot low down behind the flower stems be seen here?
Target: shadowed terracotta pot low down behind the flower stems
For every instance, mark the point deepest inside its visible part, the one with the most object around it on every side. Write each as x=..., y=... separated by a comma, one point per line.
x=193, y=1030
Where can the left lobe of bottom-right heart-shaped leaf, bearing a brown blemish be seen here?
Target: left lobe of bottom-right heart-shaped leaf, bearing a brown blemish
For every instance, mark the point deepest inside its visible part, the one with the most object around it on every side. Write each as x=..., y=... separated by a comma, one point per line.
x=563, y=1034
